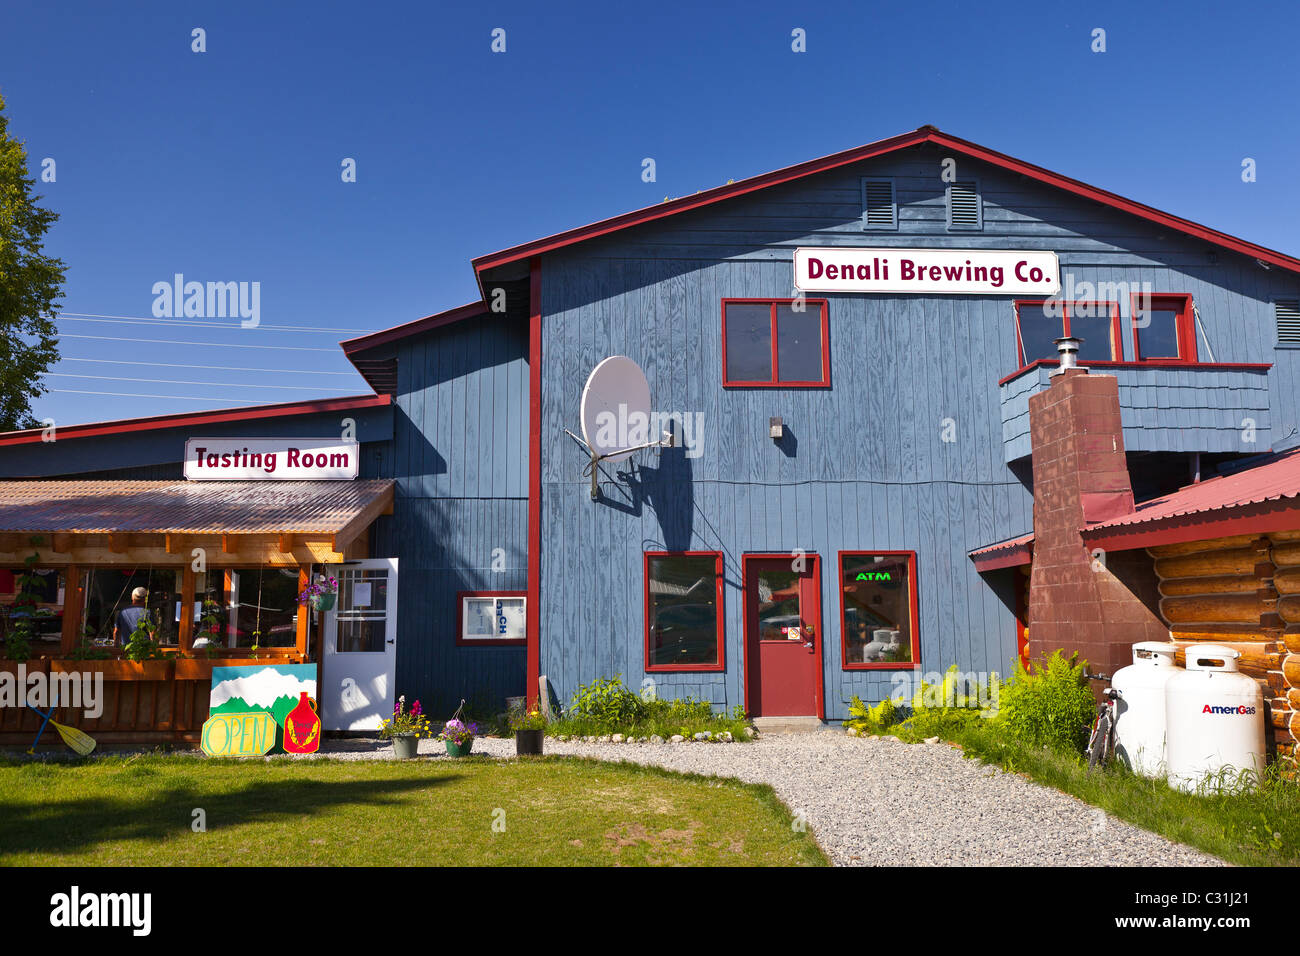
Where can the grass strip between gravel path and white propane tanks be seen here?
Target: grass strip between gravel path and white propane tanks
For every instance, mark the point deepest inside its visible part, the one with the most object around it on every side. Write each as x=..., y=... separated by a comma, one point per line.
x=1259, y=828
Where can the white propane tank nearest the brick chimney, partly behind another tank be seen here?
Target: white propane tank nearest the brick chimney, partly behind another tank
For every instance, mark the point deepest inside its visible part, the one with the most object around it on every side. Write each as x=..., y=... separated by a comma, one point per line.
x=1141, y=708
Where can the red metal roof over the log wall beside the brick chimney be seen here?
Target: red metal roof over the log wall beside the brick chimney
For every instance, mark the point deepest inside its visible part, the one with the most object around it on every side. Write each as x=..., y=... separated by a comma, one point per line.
x=1267, y=491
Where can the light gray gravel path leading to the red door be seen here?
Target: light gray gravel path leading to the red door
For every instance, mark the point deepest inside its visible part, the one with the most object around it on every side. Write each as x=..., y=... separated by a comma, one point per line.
x=873, y=802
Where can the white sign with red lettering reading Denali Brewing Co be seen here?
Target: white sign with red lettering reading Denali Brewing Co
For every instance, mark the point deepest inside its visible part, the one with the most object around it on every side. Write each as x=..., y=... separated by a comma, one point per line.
x=928, y=271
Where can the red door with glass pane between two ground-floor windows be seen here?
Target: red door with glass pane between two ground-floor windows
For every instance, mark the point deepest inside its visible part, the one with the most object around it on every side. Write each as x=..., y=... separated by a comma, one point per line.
x=783, y=637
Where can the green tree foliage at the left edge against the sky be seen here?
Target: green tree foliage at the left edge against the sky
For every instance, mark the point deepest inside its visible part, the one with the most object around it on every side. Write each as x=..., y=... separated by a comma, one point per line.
x=31, y=283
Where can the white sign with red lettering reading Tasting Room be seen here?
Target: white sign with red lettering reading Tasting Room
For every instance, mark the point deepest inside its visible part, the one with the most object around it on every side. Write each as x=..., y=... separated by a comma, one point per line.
x=287, y=460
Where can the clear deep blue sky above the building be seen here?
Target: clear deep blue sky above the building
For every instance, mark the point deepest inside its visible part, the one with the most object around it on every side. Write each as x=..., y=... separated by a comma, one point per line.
x=226, y=166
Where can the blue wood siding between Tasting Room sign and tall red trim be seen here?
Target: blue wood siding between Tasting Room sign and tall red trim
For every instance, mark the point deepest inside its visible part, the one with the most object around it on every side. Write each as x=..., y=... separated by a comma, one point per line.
x=460, y=458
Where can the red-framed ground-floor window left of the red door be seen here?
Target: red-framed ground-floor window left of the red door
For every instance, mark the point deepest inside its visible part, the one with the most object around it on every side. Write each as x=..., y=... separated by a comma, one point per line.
x=684, y=612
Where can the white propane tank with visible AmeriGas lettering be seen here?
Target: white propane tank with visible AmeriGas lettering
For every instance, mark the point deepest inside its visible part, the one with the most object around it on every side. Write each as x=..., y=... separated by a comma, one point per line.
x=1216, y=721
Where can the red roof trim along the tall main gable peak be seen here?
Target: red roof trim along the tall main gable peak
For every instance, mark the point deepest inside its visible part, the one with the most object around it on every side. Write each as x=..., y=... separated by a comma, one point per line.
x=926, y=135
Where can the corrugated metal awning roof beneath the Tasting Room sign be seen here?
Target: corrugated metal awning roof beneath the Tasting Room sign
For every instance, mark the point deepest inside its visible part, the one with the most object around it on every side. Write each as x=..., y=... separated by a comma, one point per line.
x=187, y=508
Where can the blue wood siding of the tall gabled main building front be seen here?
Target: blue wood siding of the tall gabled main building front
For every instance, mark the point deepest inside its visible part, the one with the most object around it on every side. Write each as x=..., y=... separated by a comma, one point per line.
x=868, y=466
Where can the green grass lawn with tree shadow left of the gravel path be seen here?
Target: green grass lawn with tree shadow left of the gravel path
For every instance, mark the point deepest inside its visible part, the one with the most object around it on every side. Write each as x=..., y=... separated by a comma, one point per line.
x=556, y=812
